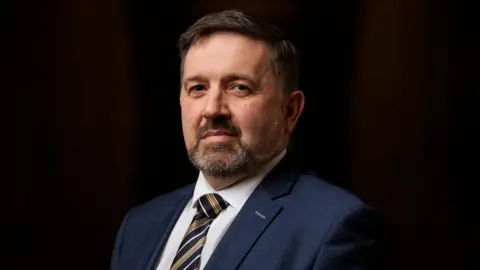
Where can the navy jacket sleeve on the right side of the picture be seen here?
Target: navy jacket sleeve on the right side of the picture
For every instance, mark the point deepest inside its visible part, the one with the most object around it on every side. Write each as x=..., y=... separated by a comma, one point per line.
x=356, y=240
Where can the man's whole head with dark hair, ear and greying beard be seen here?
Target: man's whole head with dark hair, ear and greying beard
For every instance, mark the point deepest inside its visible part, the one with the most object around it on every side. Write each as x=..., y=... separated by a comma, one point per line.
x=239, y=97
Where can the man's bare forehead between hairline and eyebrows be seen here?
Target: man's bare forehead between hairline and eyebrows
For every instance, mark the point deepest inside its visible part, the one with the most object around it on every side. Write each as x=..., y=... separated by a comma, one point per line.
x=225, y=52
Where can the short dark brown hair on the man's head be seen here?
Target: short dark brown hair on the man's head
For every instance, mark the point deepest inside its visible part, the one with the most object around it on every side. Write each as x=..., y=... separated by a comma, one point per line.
x=283, y=54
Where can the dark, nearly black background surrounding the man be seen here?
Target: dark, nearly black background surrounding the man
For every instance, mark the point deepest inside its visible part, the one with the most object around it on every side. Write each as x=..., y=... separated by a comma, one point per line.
x=92, y=124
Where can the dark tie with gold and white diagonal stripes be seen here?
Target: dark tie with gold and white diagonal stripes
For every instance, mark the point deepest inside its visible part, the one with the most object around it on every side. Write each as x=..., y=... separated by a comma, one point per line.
x=188, y=255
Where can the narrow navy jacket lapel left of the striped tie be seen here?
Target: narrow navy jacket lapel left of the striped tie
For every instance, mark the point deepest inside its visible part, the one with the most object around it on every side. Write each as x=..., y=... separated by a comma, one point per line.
x=159, y=232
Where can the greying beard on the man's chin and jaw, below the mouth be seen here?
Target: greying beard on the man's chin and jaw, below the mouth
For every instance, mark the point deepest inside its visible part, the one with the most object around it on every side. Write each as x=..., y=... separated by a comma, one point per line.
x=227, y=159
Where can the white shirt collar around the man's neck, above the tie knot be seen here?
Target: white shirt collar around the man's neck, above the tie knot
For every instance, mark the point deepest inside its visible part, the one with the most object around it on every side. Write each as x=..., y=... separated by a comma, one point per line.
x=237, y=194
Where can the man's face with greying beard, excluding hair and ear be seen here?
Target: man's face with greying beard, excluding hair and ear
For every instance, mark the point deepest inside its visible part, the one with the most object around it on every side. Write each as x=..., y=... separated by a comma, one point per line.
x=232, y=112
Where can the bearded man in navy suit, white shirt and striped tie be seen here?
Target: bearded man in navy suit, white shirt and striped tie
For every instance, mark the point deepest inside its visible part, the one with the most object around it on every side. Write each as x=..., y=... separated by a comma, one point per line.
x=250, y=208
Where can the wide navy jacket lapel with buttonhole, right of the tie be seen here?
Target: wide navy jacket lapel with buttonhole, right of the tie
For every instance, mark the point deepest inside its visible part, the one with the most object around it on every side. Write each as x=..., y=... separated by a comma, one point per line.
x=253, y=219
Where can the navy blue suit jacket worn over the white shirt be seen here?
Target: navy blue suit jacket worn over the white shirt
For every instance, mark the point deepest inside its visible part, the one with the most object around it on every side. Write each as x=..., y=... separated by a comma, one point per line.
x=291, y=221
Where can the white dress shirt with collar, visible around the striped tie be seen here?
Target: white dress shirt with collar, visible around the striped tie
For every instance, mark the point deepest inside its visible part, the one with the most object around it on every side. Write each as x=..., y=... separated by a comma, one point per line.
x=236, y=196
